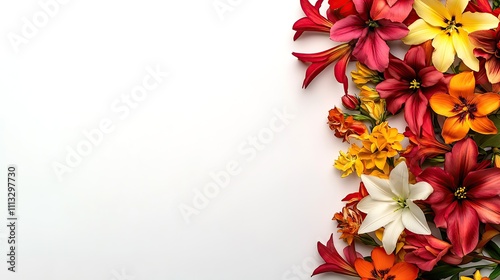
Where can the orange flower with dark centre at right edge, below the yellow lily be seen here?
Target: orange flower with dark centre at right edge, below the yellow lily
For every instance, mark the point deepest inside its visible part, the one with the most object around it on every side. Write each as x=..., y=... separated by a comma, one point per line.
x=464, y=108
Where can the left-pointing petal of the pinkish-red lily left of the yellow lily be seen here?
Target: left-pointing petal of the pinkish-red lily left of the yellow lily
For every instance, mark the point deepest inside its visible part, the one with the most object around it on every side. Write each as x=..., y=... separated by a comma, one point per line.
x=347, y=29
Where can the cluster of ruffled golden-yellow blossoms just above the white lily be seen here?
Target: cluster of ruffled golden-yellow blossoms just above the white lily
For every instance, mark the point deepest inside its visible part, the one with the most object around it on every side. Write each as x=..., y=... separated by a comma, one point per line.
x=375, y=156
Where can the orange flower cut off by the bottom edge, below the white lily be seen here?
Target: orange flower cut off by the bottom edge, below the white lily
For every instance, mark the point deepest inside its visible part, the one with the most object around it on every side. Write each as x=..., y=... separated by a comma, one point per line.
x=383, y=267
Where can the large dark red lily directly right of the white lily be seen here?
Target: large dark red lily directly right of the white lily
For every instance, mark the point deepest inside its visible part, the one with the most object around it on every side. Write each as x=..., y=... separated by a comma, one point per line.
x=465, y=193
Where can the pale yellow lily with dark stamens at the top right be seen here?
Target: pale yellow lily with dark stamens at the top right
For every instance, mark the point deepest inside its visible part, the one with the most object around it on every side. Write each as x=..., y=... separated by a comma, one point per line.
x=449, y=27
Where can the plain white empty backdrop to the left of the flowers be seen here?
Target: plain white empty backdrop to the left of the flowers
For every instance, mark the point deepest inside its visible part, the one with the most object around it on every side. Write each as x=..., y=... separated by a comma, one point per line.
x=116, y=215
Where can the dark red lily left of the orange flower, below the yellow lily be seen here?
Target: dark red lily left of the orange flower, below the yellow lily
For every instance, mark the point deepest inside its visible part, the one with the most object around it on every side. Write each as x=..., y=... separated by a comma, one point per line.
x=410, y=82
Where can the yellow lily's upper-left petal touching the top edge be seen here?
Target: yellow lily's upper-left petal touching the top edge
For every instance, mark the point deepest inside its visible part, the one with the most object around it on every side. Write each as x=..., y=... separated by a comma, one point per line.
x=432, y=11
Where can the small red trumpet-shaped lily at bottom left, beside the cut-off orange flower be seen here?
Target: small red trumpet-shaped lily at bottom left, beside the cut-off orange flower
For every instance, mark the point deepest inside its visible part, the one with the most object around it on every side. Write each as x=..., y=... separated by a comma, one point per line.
x=334, y=262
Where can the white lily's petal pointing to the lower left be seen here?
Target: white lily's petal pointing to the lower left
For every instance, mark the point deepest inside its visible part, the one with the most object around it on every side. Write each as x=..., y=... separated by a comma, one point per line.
x=380, y=216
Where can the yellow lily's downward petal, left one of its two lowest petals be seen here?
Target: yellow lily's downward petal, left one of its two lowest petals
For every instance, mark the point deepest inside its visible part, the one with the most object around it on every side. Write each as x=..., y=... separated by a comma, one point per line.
x=444, y=52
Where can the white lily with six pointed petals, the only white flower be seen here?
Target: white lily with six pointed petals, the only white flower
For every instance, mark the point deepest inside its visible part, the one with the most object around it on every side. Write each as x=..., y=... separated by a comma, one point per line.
x=390, y=204
